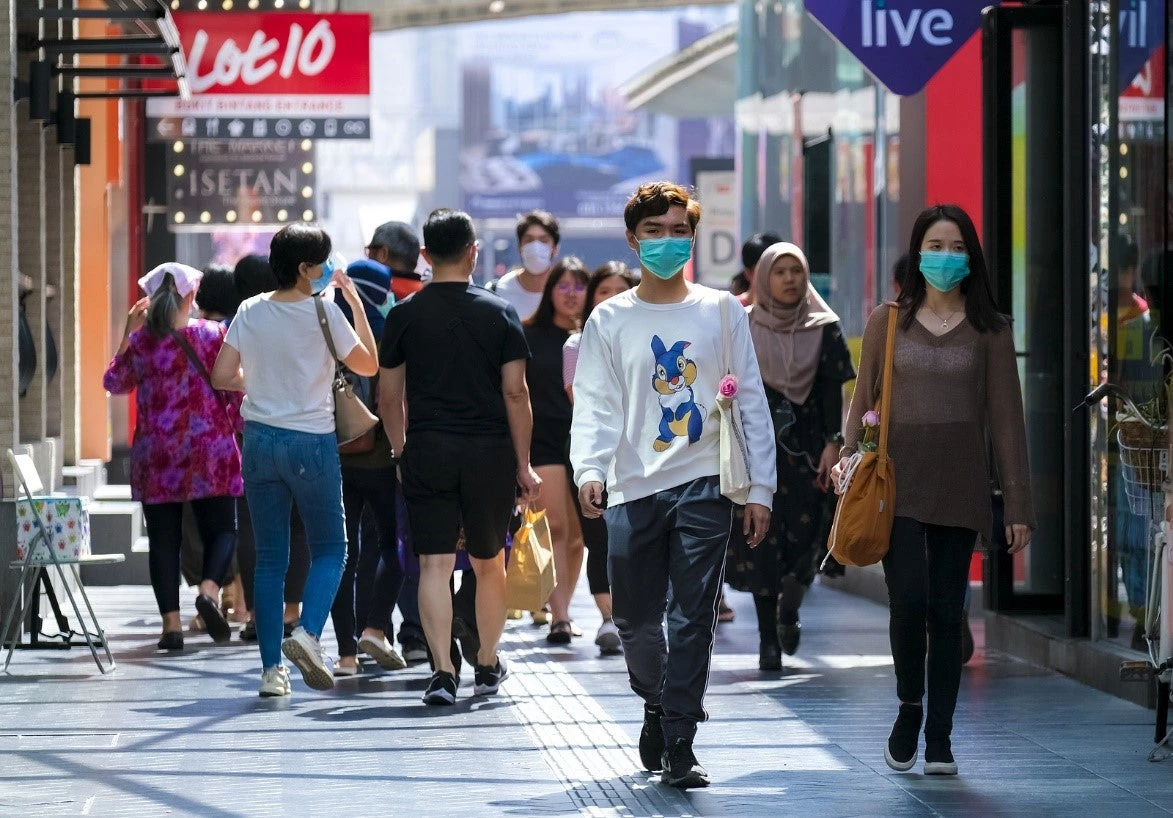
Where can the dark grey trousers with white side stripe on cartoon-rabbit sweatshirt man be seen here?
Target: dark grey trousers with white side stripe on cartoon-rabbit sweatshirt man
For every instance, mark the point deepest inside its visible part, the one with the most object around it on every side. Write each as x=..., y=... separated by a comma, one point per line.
x=676, y=539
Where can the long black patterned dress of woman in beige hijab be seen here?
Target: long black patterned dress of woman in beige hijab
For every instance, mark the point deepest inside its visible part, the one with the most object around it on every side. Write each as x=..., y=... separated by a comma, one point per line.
x=803, y=513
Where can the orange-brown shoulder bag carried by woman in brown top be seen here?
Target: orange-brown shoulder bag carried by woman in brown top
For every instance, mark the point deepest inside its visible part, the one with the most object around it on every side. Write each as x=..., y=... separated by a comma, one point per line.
x=862, y=532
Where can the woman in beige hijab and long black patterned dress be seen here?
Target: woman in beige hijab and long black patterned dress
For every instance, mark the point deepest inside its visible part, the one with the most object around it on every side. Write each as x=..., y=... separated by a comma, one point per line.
x=805, y=363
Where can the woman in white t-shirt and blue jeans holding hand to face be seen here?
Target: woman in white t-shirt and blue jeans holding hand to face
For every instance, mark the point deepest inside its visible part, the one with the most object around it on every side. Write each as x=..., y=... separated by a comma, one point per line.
x=276, y=354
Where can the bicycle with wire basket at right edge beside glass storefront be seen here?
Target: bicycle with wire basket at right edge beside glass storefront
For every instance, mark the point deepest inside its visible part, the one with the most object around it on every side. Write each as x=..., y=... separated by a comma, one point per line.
x=1145, y=474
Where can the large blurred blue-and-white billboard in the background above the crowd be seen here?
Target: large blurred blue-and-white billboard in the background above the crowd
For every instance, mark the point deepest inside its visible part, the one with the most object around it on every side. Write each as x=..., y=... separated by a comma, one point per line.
x=544, y=125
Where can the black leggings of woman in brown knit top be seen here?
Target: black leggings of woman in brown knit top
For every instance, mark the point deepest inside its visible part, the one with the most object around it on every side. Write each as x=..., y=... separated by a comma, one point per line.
x=927, y=571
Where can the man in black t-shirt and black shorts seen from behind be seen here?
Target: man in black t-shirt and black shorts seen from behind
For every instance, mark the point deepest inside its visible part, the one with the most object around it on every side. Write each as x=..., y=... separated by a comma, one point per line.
x=453, y=357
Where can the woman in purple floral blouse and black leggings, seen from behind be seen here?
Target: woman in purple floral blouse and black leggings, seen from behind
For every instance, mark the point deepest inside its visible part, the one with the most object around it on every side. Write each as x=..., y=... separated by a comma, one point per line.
x=185, y=448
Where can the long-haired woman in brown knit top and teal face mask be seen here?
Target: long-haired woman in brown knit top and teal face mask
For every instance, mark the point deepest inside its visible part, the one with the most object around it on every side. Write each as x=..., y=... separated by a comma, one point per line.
x=955, y=387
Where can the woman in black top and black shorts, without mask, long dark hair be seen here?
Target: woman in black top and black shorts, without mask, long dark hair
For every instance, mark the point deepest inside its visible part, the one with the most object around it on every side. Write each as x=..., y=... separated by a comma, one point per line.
x=547, y=330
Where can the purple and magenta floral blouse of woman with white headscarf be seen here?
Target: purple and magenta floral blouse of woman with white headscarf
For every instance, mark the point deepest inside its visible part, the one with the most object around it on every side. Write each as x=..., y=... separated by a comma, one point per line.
x=186, y=447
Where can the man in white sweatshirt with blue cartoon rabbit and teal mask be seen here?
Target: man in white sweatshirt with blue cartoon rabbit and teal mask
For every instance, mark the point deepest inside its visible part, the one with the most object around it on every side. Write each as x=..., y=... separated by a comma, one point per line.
x=649, y=369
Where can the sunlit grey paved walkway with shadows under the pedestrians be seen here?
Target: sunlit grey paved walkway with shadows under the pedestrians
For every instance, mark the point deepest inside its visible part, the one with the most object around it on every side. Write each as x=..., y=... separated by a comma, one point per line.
x=188, y=735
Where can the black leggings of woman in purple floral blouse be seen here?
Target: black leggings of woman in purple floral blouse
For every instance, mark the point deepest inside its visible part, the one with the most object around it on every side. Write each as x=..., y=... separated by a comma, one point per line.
x=216, y=520
